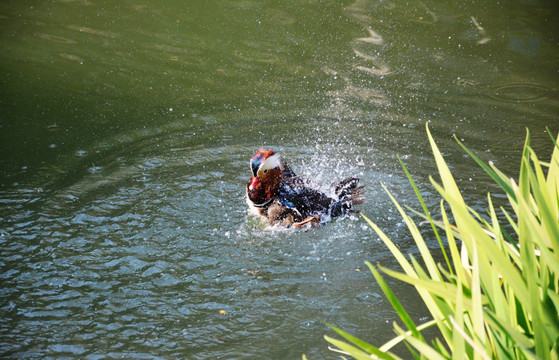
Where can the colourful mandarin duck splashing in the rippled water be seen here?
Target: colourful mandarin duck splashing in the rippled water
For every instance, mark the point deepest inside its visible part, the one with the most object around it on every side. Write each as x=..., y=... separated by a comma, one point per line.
x=283, y=198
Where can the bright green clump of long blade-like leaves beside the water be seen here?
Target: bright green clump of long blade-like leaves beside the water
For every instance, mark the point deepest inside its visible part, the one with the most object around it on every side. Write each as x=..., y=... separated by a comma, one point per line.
x=497, y=297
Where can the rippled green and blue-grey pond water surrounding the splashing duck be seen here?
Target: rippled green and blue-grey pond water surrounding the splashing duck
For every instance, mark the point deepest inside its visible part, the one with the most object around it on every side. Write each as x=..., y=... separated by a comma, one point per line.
x=126, y=128
